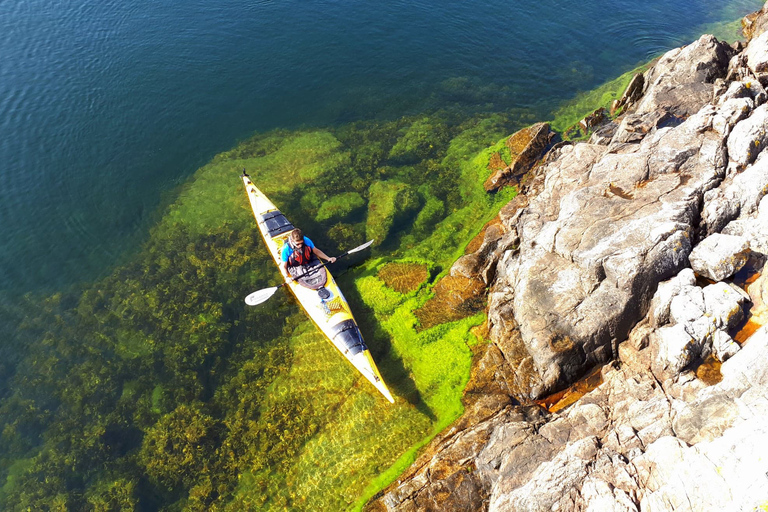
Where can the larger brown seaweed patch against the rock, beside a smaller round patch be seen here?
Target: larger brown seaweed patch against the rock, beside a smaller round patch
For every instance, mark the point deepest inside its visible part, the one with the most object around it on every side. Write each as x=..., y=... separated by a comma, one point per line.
x=456, y=297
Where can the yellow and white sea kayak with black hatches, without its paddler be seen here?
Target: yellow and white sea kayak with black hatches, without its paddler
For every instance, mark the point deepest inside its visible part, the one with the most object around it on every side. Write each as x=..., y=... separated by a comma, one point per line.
x=325, y=304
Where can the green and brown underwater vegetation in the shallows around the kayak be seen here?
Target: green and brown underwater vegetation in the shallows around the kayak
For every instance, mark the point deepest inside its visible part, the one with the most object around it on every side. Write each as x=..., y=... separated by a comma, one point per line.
x=155, y=388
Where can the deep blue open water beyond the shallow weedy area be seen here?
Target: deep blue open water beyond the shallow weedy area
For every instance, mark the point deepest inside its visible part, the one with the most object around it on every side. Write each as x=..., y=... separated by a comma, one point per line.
x=106, y=106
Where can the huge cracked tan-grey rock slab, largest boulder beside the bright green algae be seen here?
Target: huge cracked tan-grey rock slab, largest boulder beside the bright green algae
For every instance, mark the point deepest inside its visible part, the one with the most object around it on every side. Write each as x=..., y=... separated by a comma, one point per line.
x=605, y=229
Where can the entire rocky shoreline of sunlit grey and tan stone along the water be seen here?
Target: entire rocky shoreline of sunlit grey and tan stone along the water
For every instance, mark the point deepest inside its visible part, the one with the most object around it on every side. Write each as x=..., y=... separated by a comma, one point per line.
x=643, y=250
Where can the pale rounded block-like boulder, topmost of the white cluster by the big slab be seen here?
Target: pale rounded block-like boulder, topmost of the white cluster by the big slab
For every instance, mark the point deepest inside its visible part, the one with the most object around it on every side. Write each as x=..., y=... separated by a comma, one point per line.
x=719, y=256
